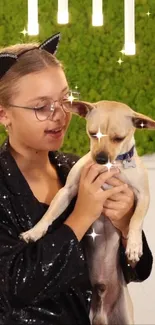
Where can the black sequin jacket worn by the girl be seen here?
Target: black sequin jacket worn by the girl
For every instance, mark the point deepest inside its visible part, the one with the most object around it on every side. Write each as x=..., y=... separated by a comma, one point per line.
x=45, y=283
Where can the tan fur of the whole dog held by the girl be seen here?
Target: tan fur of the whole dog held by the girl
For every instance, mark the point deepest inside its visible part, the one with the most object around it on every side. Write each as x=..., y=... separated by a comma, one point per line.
x=111, y=303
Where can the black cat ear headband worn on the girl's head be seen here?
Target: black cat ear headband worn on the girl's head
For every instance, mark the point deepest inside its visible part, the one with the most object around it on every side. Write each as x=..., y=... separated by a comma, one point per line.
x=8, y=59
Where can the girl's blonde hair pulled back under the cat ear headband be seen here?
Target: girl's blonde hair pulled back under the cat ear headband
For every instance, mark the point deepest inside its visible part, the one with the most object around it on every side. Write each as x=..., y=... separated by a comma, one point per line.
x=34, y=60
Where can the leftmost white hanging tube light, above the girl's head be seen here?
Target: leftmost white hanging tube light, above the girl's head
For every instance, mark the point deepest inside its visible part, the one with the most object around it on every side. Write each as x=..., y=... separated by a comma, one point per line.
x=33, y=26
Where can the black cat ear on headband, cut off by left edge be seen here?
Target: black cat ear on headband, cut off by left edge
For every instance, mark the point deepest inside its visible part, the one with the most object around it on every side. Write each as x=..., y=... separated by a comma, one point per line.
x=6, y=62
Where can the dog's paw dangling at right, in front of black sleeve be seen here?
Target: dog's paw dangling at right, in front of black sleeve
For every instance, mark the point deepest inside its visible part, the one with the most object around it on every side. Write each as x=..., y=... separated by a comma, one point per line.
x=134, y=249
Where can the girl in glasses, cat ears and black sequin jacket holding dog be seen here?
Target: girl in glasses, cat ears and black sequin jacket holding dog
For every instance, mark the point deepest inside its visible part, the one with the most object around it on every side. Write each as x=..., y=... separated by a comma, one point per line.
x=47, y=282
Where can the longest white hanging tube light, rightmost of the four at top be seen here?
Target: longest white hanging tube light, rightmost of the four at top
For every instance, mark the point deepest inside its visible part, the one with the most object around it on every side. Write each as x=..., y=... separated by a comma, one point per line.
x=129, y=26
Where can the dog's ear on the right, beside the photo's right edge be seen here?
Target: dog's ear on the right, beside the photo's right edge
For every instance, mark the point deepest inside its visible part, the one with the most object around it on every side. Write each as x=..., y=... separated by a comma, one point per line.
x=141, y=121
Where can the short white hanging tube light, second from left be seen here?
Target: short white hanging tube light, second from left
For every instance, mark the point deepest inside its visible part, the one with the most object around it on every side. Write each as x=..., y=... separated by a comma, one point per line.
x=63, y=14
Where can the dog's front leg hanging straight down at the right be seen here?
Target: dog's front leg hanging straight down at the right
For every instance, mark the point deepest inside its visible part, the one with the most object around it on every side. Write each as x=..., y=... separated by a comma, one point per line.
x=134, y=249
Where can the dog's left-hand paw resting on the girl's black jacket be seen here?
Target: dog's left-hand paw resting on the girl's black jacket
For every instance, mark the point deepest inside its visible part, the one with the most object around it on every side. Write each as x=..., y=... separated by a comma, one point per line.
x=33, y=234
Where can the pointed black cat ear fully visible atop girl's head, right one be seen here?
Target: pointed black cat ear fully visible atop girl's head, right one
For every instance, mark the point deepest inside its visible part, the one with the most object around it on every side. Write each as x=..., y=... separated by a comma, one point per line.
x=51, y=44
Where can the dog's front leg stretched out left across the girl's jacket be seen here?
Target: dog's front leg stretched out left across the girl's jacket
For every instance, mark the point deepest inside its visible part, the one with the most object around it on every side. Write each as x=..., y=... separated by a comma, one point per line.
x=59, y=203
